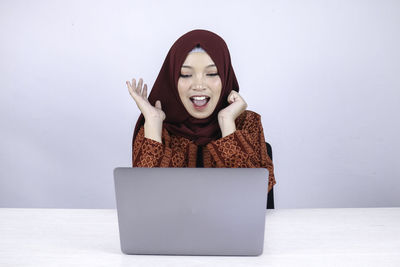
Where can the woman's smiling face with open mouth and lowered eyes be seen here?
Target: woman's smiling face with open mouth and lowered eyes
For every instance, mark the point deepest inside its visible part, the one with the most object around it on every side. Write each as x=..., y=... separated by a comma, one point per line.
x=199, y=85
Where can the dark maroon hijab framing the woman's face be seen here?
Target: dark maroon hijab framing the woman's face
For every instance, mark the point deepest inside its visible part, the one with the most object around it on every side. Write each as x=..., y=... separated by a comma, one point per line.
x=178, y=121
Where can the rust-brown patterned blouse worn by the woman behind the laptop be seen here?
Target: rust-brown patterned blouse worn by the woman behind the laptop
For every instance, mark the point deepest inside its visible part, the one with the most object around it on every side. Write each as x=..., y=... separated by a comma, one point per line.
x=244, y=148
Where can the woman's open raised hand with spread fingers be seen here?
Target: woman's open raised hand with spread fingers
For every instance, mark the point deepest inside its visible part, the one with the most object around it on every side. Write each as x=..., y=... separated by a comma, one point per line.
x=152, y=114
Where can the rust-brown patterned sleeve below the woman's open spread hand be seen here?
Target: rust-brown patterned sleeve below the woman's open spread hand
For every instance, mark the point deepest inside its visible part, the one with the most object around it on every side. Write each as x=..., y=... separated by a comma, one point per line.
x=149, y=153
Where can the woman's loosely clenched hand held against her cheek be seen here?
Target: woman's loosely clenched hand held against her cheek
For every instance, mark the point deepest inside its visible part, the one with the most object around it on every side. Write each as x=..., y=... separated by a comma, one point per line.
x=228, y=115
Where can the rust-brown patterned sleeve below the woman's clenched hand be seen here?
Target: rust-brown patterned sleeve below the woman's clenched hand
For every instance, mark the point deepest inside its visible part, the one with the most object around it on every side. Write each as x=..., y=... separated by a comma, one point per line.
x=244, y=148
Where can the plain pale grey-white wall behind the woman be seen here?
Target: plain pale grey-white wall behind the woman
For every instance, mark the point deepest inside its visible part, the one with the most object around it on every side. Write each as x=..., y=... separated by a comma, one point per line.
x=324, y=75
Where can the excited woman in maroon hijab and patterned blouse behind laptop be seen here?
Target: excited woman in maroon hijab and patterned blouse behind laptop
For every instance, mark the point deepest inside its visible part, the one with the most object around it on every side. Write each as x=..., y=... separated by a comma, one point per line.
x=194, y=115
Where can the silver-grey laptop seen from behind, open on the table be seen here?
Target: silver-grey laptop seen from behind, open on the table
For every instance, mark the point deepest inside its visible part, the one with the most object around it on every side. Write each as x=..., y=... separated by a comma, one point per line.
x=191, y=211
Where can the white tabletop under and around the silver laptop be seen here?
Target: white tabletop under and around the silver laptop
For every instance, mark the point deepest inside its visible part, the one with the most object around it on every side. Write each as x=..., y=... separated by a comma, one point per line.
x=294, y=237
